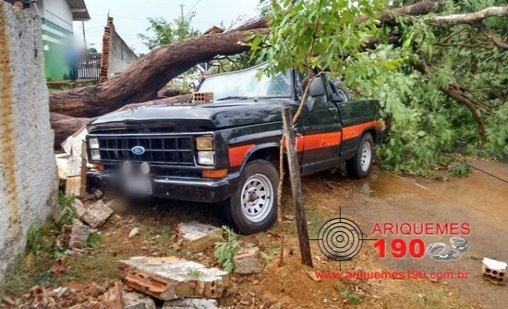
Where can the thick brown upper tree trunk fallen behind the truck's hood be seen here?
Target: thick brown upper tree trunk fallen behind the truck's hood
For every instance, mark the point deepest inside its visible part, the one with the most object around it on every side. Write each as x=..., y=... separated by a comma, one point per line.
x=143, y=80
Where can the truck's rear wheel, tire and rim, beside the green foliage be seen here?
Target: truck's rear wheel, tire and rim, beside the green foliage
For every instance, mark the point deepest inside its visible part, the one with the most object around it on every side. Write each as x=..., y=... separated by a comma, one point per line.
x=360, y=165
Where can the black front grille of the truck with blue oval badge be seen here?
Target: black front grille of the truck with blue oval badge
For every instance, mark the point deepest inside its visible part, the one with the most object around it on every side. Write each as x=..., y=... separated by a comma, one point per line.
x=165, y=150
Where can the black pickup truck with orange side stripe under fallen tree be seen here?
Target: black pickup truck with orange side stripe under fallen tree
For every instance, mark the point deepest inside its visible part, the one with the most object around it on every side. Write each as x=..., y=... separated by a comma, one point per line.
x=226, y=151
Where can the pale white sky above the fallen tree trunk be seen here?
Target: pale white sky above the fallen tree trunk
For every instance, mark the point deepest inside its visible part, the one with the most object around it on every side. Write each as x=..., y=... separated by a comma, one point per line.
x=130, y=17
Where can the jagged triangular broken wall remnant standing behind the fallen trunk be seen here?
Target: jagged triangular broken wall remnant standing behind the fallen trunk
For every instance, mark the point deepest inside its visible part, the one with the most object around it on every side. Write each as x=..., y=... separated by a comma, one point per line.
x=116, y=54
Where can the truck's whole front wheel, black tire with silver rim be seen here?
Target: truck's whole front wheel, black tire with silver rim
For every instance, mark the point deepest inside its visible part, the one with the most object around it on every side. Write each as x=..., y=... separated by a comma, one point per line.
x=253, y=207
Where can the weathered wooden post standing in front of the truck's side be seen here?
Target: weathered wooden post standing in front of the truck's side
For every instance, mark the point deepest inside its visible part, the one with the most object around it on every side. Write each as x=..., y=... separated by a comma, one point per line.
x=296, y=187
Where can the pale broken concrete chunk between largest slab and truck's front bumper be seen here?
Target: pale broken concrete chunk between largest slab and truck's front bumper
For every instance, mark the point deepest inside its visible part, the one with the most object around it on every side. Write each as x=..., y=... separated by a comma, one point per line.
x=194, y=236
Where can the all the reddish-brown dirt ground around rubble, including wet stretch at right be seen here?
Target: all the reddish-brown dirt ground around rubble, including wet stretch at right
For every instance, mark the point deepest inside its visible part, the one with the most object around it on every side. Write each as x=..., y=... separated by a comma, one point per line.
x=379, y=198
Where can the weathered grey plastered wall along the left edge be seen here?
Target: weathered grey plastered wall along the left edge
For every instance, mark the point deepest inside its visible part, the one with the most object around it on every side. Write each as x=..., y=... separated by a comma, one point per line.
x=28, y=178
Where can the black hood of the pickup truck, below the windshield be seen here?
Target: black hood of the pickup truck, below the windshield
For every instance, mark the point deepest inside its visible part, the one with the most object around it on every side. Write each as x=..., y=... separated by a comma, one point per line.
x=208, y=116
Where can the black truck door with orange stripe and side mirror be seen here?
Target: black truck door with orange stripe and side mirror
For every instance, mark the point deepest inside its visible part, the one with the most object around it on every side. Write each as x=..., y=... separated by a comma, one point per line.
x=322, y=132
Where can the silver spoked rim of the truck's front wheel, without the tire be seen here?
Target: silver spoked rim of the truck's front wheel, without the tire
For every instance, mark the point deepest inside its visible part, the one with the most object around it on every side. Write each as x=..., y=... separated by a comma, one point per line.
x=257, y=198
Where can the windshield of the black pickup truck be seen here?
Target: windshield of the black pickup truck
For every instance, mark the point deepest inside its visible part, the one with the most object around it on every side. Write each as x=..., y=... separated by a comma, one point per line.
x=246, y=84
